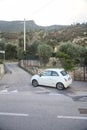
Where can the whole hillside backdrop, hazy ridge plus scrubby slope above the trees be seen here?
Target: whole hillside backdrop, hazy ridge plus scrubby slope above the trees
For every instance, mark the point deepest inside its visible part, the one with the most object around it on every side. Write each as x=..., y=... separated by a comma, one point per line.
x=11, y=32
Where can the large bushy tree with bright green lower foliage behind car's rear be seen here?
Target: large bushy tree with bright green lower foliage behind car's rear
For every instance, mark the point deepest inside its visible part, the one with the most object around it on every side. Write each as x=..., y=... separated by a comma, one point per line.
x=68, y=53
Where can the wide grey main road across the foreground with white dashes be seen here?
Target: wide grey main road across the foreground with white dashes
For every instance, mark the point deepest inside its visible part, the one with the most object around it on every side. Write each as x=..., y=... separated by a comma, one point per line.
x=24, y=111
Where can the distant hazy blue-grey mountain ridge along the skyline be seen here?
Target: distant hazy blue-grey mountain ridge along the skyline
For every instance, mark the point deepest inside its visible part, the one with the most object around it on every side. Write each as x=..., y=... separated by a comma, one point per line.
x=17, y=26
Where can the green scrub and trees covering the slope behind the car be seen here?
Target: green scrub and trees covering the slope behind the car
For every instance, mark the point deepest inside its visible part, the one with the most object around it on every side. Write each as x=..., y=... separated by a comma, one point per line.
x=69, y=42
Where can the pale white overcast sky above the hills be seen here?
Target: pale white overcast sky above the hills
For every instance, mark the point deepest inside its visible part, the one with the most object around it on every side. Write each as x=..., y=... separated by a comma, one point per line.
x=45, y=12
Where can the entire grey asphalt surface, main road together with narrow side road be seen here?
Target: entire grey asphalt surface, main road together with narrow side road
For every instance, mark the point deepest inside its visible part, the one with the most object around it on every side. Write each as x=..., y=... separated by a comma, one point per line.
x=23, y=107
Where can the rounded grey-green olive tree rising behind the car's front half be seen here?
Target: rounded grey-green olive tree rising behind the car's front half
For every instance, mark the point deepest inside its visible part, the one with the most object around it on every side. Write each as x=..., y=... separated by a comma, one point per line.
x=44, y=52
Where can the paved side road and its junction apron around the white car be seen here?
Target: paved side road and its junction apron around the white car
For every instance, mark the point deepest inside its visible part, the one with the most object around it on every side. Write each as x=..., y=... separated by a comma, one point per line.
x=16, y=80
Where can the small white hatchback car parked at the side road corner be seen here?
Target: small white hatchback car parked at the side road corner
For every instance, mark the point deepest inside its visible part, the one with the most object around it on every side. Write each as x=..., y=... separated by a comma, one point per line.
x=58, y=78
